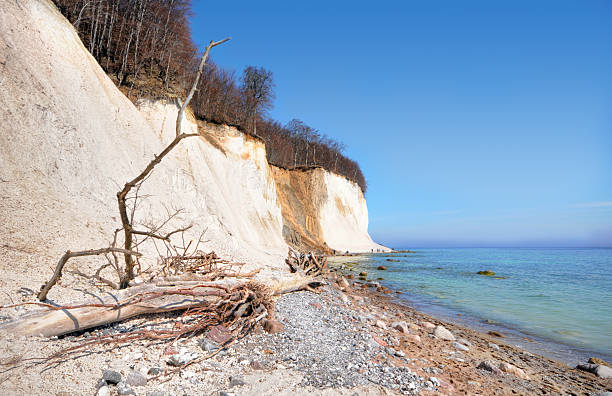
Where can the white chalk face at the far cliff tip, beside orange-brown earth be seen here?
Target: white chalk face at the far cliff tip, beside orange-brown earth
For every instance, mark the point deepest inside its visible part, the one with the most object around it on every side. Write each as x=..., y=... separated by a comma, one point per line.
x=344, y=216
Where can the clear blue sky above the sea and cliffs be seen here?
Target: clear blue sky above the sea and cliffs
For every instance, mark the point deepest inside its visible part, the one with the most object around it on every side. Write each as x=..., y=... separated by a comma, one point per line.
x=476, y=123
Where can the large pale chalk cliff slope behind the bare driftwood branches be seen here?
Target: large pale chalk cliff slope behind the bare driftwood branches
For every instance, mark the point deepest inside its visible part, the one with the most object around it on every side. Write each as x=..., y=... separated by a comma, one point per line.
x=69, y=139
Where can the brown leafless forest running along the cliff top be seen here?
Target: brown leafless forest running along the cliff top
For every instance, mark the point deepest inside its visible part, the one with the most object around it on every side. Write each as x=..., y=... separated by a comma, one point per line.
x=146, y=47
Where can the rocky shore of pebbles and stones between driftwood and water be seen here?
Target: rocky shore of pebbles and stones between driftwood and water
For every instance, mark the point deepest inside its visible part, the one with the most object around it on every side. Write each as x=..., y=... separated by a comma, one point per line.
x=344, y=340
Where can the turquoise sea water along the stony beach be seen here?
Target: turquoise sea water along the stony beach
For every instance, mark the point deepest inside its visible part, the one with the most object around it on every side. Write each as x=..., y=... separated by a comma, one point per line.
x=559, y=298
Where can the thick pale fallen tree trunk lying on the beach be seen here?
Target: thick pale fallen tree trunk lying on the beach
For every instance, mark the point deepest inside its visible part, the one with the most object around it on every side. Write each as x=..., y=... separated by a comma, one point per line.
x=124, y=304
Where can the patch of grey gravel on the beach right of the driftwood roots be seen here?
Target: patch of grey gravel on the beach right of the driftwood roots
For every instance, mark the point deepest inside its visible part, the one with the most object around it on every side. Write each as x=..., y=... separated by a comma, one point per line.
x=330, y=345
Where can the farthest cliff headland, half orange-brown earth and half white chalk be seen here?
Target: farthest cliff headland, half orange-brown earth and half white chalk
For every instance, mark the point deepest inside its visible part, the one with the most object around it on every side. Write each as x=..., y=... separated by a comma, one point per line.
x=324, y=211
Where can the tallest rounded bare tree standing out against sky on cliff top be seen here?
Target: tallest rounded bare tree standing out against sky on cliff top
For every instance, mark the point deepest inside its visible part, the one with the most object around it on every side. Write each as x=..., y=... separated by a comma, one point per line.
x=258, y=90
